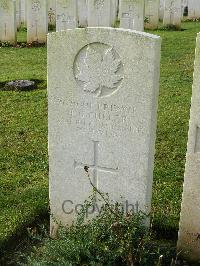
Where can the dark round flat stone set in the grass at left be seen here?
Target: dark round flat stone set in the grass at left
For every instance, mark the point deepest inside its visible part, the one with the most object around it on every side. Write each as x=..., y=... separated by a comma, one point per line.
x=20, y=85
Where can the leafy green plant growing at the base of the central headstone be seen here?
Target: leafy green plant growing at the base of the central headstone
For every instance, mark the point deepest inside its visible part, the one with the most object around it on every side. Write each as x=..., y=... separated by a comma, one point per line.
x=111, y=238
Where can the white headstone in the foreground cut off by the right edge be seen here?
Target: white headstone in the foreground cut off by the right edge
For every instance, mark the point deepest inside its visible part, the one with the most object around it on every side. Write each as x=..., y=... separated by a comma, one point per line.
x=189, y=231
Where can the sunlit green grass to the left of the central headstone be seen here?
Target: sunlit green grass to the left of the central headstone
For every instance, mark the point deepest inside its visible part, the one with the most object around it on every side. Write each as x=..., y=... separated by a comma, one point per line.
x=23, y=141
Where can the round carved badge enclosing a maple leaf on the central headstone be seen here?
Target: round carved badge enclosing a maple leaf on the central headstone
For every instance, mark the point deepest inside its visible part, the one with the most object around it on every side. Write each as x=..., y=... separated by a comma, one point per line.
x=98, y=69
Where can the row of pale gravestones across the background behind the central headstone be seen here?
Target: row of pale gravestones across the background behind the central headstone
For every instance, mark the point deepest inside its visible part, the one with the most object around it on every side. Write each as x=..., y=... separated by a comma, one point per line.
x=68, y=14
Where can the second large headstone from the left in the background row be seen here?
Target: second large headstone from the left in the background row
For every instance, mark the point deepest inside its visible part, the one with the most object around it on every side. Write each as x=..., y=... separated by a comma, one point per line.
x=37, y=21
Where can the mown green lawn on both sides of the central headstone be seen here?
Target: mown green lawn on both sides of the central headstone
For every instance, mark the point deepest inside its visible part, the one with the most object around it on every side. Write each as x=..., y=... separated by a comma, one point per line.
x=23, y=133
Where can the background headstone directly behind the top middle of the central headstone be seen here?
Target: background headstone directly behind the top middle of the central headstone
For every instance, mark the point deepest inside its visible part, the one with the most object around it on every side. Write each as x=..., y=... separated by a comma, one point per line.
x=99, y=13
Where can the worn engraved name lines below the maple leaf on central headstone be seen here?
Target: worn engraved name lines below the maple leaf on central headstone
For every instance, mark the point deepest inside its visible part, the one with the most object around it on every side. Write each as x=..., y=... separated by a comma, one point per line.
x=101, y=118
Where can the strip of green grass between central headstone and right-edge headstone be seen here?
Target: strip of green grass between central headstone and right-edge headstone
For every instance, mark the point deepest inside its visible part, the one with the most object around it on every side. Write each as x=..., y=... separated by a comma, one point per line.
x=178, y=51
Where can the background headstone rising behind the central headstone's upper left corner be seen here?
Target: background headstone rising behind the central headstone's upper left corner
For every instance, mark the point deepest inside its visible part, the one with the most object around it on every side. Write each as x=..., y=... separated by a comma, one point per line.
x=66, y=14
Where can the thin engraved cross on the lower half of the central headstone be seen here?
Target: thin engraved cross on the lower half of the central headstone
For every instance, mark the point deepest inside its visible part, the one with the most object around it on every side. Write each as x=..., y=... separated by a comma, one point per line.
x=95, y=166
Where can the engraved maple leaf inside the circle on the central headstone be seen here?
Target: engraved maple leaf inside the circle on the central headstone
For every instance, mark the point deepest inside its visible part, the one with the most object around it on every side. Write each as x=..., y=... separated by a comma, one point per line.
x=99, y=71
